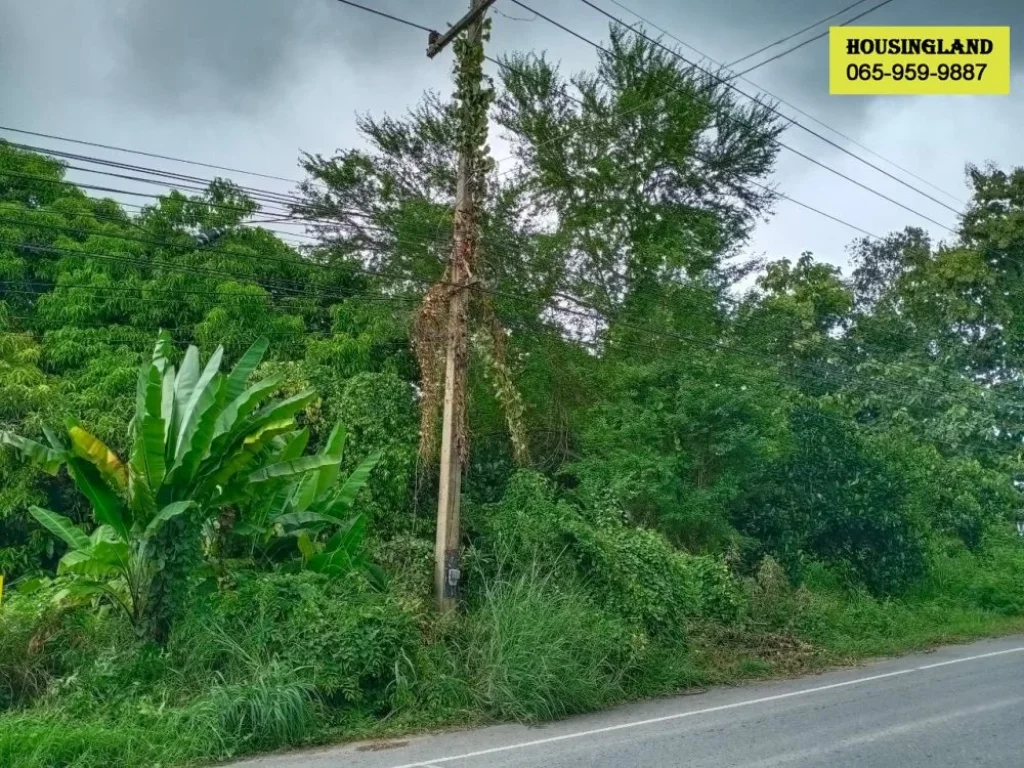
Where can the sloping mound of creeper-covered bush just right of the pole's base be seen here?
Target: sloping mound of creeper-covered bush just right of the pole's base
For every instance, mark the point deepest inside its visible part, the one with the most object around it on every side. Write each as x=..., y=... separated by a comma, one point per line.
x=636, y=574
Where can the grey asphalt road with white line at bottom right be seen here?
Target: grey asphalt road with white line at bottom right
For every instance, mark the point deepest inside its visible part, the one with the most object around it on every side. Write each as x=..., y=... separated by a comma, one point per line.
x=960, y=706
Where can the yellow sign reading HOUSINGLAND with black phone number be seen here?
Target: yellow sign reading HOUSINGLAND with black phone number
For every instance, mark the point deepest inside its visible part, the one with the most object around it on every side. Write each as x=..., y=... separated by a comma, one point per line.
x=919, y=61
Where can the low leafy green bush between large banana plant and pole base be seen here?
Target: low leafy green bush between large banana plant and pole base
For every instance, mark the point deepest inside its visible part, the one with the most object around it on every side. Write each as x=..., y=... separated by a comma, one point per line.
x=335, y=636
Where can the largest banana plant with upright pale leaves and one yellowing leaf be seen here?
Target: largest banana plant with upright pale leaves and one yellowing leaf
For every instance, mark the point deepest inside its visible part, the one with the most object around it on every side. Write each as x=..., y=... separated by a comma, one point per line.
x=201, y=441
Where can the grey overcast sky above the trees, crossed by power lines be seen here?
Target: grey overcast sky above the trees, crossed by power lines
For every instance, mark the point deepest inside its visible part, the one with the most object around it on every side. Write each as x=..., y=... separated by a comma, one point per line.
x=249, y=83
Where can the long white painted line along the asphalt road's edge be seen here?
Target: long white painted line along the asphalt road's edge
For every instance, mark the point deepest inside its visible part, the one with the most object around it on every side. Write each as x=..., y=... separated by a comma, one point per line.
x=721, y=708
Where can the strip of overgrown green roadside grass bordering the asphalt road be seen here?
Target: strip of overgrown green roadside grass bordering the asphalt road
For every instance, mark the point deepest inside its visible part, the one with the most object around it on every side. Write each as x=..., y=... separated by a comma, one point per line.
x=528, y=649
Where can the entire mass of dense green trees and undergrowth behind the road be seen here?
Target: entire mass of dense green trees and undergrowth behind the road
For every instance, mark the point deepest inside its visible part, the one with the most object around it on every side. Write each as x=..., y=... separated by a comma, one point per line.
x=724, y=477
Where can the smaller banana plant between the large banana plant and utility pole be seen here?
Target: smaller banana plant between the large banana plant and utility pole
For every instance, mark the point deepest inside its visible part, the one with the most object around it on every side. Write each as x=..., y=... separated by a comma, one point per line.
x=304, y=502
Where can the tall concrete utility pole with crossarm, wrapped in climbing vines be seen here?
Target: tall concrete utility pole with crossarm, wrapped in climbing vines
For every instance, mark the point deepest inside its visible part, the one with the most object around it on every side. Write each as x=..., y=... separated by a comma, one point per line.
x=447, y=554
